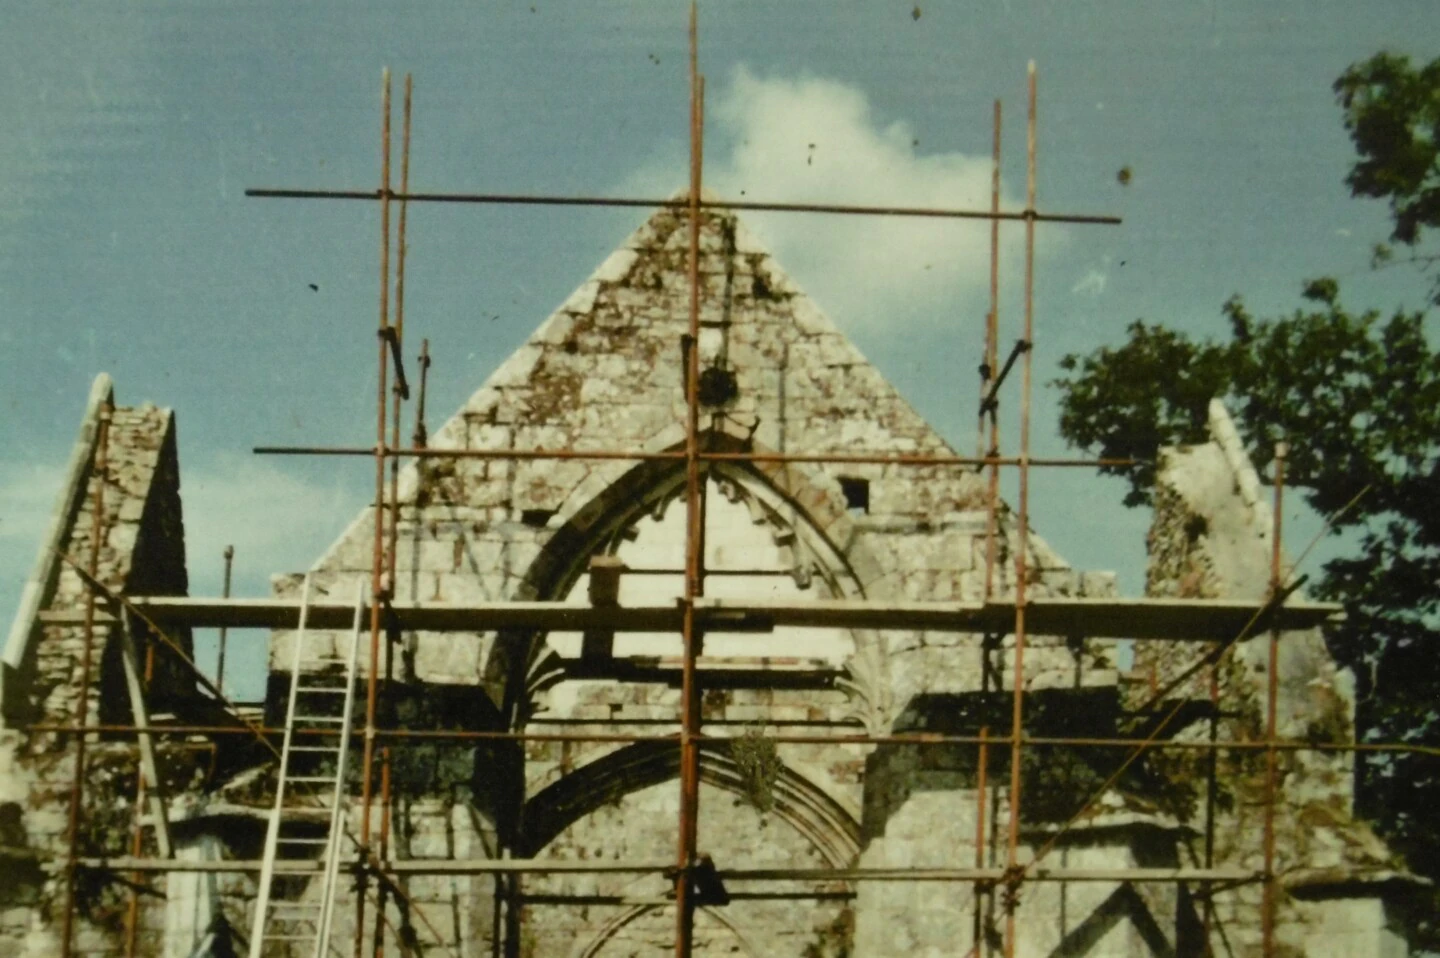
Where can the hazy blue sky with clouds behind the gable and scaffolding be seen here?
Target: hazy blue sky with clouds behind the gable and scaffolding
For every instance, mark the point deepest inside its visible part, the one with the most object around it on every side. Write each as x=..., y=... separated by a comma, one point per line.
x=133, y=130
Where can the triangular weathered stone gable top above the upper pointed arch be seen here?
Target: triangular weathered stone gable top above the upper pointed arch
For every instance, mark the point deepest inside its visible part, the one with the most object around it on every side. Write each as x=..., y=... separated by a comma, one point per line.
x=606, y=374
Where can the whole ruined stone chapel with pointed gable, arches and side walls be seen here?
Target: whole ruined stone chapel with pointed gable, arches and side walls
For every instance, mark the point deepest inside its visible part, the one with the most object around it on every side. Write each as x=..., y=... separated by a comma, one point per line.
x=505, y=771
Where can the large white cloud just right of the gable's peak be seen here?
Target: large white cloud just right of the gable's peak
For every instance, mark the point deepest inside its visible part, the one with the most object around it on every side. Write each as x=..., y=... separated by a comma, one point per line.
x=819, y=140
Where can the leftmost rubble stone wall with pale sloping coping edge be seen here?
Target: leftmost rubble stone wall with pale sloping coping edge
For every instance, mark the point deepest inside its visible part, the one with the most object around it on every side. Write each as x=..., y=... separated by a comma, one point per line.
x=142, y=550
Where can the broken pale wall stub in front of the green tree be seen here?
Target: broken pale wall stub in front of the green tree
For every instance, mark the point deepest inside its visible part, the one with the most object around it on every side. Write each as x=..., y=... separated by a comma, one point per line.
x=1213, y=538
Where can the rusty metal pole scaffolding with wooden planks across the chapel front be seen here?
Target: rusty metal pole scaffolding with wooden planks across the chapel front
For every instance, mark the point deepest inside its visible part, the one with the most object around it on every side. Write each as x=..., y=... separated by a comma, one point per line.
x=1218, y=626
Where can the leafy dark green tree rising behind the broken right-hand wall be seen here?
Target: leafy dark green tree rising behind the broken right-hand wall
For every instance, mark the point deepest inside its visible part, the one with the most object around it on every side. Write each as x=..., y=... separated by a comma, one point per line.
x=1359, y=398
